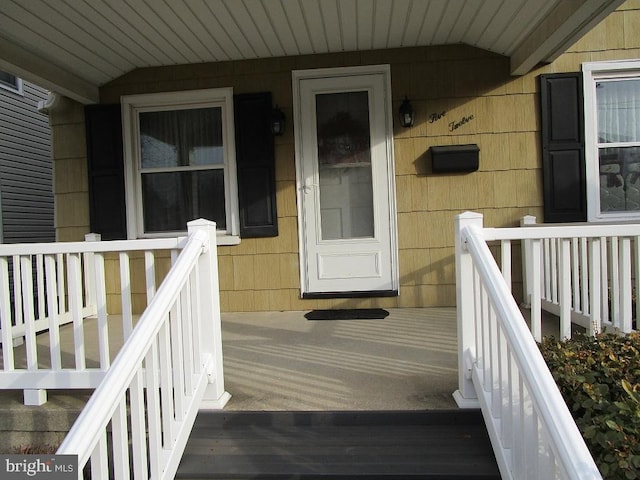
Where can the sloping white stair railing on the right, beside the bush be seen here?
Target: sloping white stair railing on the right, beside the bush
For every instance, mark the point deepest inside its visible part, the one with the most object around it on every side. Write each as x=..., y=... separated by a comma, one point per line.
x=500, y=366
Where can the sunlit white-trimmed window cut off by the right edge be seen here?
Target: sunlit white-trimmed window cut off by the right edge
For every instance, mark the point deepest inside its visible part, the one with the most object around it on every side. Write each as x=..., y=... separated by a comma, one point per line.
x=612, y=124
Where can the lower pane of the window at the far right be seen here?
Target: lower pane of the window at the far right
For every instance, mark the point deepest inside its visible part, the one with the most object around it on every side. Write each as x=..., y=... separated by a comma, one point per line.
x=619, y=179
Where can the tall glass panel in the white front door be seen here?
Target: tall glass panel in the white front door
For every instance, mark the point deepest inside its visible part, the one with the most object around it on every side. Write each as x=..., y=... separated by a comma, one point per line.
x=344, y=165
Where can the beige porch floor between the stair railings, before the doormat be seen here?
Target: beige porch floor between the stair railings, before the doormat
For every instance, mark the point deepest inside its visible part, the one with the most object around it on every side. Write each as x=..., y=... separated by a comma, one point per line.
x=282, y=361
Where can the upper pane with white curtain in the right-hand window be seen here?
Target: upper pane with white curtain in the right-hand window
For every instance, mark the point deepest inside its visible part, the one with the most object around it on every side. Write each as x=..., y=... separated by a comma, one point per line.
x=618, y=111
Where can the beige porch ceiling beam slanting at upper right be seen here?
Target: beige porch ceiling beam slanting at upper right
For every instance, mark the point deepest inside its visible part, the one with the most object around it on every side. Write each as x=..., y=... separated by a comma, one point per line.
x=567, y=22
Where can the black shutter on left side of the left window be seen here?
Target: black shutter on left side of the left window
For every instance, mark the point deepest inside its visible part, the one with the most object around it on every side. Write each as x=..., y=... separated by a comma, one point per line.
x=107, y=211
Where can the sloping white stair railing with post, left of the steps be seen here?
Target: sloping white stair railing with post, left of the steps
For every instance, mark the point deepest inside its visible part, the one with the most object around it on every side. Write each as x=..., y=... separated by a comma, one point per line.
x=137, y=422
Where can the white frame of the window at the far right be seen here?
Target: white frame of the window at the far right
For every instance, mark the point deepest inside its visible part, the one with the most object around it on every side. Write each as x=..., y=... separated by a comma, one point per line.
x=592, y=73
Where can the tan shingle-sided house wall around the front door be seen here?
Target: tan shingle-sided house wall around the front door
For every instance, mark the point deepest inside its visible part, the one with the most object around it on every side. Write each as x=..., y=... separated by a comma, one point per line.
x=455, y=82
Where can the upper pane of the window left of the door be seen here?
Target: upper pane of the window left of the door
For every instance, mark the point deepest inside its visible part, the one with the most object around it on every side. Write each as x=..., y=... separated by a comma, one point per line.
x=181, y=138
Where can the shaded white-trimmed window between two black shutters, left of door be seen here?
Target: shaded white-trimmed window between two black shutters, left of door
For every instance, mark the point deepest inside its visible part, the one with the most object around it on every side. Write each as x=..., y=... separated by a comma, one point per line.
x=179, y=161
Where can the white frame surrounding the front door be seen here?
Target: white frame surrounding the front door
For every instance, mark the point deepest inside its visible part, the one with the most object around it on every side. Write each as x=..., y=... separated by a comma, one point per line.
x=297, y=77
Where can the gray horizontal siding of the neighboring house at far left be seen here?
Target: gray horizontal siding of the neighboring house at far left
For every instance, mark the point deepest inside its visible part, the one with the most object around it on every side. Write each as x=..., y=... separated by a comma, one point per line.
x=26, y=168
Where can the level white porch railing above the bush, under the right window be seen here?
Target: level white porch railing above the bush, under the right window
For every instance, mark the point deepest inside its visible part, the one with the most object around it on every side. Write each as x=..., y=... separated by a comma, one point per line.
x=587, y=274
